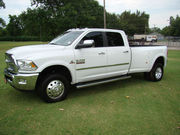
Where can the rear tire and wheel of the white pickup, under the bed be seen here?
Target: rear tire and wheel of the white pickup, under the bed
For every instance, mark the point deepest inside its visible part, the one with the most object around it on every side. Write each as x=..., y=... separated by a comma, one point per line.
x=156, y=73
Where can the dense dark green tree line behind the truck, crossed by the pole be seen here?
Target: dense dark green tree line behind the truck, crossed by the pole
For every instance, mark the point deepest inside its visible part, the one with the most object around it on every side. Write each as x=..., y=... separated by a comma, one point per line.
x=51, y=17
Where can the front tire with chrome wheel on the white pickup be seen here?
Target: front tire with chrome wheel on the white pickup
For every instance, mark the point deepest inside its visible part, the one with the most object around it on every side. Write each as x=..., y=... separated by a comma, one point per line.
x=53, y=88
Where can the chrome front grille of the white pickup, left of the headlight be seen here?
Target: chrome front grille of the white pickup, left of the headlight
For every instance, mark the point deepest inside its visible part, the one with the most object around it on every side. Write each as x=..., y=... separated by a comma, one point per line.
x=10, y=61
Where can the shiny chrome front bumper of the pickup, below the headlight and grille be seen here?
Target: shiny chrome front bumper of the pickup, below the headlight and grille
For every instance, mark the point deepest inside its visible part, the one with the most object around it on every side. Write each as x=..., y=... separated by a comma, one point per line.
x=21, y=81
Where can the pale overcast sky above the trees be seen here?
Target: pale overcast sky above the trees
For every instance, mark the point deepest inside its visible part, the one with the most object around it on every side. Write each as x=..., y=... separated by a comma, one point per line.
x=159, y=10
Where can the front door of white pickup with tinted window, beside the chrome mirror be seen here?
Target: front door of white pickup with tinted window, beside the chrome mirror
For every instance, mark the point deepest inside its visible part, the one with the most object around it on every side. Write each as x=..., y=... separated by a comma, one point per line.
x=90, y=62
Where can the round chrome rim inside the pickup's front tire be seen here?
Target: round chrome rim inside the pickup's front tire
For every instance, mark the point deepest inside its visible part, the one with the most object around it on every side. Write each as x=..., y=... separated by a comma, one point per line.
x=55, y=89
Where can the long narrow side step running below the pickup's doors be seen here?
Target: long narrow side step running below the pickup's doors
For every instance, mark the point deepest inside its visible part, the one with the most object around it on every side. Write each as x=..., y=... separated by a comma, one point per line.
x=93, y=83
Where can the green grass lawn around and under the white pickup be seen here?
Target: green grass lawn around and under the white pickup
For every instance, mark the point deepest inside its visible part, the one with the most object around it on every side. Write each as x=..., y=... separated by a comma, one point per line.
x=153, y=108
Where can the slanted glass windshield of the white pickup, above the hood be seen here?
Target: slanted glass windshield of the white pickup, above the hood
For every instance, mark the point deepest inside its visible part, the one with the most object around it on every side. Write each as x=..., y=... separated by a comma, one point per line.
x=66, y=38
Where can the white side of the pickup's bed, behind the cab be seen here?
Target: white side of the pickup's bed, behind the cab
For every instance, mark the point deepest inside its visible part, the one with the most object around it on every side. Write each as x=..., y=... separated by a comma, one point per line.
x=143, y=57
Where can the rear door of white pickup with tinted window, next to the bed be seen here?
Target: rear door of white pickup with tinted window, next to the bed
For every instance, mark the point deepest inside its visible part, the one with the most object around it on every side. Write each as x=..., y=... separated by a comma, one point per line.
x=118, y=54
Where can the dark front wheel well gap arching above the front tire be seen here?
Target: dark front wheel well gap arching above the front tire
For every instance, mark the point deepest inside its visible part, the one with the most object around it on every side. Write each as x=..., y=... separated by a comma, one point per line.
x=54, y=69
